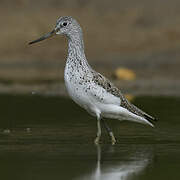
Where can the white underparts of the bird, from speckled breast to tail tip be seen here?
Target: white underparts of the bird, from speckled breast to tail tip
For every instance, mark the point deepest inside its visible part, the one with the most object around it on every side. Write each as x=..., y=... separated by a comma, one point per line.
x=97, y=101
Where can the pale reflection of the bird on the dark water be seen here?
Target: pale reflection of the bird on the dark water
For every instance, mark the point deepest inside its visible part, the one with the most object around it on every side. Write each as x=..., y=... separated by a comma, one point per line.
x=120, y=170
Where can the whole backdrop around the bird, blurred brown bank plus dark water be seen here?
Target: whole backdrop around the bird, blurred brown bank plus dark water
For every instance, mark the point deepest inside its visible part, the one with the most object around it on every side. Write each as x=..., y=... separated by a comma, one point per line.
x=135, y=43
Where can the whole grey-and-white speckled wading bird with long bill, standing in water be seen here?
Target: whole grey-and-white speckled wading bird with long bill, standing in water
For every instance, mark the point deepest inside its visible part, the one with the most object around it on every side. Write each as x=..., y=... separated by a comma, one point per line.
x=88, y=88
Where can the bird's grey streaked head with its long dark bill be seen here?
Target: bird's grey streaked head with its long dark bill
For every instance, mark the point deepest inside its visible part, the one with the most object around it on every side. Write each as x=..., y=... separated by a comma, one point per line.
x=65, y=25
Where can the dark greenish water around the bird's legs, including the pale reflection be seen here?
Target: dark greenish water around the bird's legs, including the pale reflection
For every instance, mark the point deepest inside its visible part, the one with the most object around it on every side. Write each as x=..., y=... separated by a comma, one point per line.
x=60, y=143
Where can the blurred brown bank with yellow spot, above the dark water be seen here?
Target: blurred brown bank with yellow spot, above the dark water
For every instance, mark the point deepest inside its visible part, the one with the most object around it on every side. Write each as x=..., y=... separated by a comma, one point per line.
x=134, y=43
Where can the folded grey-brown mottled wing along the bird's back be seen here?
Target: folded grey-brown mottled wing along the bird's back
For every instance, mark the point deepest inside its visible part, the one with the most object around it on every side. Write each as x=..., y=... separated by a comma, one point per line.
x=111, y=88
